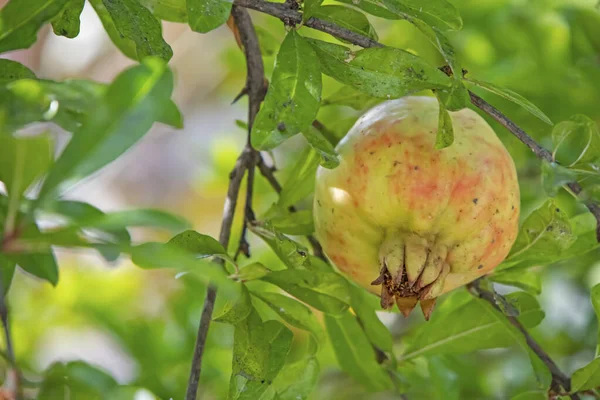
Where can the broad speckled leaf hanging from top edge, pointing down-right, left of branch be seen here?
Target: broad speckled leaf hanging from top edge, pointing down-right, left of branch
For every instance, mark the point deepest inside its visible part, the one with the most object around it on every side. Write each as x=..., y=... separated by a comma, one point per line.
x=134, y=22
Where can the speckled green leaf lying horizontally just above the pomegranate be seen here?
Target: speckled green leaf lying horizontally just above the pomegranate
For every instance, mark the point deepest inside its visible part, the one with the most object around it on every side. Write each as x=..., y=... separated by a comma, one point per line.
x=384, y=72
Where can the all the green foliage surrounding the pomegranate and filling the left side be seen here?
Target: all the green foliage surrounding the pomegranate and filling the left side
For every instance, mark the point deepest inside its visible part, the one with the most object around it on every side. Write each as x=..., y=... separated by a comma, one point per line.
x=302, y=287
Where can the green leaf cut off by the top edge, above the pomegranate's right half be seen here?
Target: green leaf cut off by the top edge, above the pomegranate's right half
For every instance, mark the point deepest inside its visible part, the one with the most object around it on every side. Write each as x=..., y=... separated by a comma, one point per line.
x=439, y=14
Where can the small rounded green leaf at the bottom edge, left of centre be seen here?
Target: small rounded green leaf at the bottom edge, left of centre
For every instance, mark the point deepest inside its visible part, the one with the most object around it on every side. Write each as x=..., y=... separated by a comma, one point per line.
x=297, y=380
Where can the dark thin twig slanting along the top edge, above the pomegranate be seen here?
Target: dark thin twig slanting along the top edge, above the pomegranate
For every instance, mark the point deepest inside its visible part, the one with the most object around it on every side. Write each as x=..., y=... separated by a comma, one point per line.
x=290, y=17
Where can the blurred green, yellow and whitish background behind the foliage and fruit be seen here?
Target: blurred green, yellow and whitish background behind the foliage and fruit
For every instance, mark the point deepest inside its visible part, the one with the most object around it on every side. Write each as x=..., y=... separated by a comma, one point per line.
x=139, y=326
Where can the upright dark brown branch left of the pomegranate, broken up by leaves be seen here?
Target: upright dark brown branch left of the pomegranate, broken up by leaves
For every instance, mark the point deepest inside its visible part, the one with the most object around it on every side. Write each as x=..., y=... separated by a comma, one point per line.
x=245, y=162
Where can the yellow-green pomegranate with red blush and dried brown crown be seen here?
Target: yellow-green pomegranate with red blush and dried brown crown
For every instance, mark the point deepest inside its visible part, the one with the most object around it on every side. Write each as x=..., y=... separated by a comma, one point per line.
x=417, y=221
